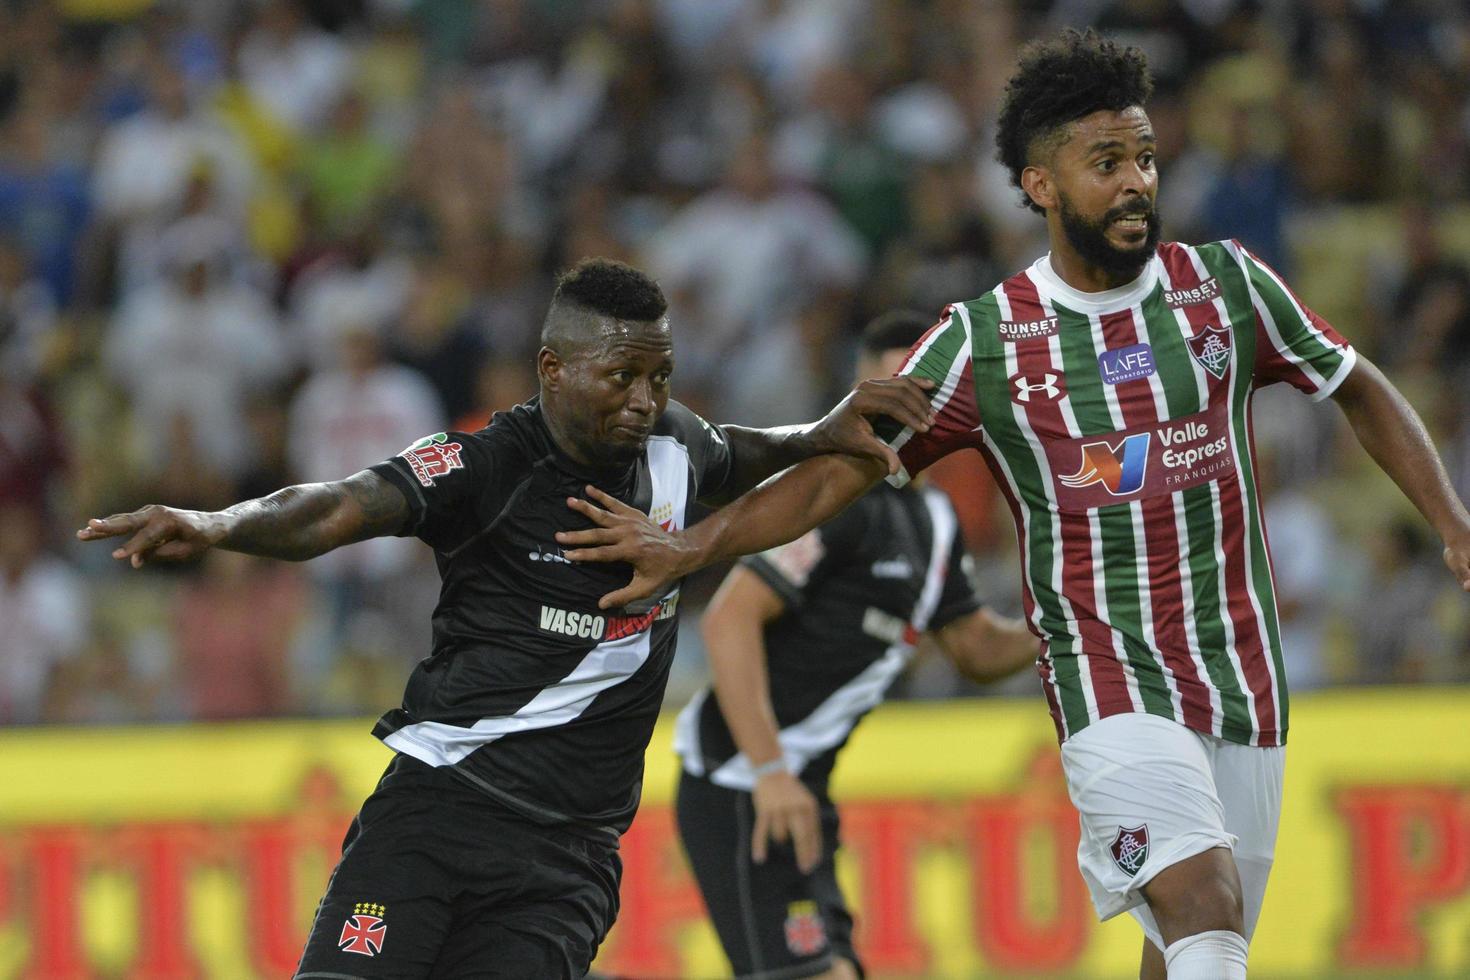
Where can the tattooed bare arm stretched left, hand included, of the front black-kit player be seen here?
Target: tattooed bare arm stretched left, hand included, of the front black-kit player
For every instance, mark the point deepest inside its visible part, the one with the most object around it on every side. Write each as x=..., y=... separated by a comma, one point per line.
x=295, y=524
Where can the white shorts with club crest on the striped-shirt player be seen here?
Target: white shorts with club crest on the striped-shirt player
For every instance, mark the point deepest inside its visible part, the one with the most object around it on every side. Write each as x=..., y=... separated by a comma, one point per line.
x=1152, y=793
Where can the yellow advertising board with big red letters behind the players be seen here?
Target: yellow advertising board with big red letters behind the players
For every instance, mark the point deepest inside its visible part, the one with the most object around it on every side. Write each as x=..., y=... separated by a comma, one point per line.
x=199, y=851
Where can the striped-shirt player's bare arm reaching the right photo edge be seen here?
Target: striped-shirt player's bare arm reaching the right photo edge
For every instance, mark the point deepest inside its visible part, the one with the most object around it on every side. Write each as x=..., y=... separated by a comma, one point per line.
x=1394, y=436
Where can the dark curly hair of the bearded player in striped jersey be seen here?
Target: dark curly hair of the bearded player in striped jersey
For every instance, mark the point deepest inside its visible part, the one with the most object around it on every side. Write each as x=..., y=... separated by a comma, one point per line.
x=1061, y=82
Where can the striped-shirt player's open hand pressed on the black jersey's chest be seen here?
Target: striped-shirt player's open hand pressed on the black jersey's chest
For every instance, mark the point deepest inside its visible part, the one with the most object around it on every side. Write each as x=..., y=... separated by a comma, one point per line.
x=624, y=534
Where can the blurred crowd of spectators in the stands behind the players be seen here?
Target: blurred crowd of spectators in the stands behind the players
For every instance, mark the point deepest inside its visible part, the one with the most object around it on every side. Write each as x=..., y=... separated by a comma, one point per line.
x=246, y=245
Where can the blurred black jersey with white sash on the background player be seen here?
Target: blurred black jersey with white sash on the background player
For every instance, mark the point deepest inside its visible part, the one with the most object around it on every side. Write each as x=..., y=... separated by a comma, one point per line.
x=859, y=591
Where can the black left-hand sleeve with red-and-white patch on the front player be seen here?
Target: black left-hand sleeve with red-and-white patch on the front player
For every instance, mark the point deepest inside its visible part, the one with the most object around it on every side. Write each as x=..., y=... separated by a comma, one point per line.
x=453, y=483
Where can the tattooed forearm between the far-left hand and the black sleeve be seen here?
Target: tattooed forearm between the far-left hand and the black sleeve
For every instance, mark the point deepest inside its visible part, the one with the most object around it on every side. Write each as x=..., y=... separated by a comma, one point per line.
x=302, y=522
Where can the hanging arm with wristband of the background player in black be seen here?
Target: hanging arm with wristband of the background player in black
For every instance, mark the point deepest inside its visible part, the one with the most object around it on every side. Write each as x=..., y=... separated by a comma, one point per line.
x=734, y=631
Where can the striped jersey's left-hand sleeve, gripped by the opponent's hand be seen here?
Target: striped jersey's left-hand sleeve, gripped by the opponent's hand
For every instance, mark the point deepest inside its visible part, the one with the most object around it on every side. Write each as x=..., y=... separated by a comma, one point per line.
x=944, y=358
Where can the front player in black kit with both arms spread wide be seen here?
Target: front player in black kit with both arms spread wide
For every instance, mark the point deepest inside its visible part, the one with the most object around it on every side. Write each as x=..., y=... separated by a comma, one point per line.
x=490, y=846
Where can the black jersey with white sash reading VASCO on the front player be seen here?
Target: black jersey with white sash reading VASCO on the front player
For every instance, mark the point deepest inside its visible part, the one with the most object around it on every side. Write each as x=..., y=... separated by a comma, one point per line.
x=531, y=693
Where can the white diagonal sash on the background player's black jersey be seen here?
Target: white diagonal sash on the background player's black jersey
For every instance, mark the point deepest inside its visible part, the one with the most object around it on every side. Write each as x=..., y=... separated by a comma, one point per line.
x=834, y=719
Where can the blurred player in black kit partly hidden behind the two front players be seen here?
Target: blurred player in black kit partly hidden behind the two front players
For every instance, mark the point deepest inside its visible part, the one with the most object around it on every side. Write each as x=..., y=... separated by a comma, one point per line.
x=803, y=641
